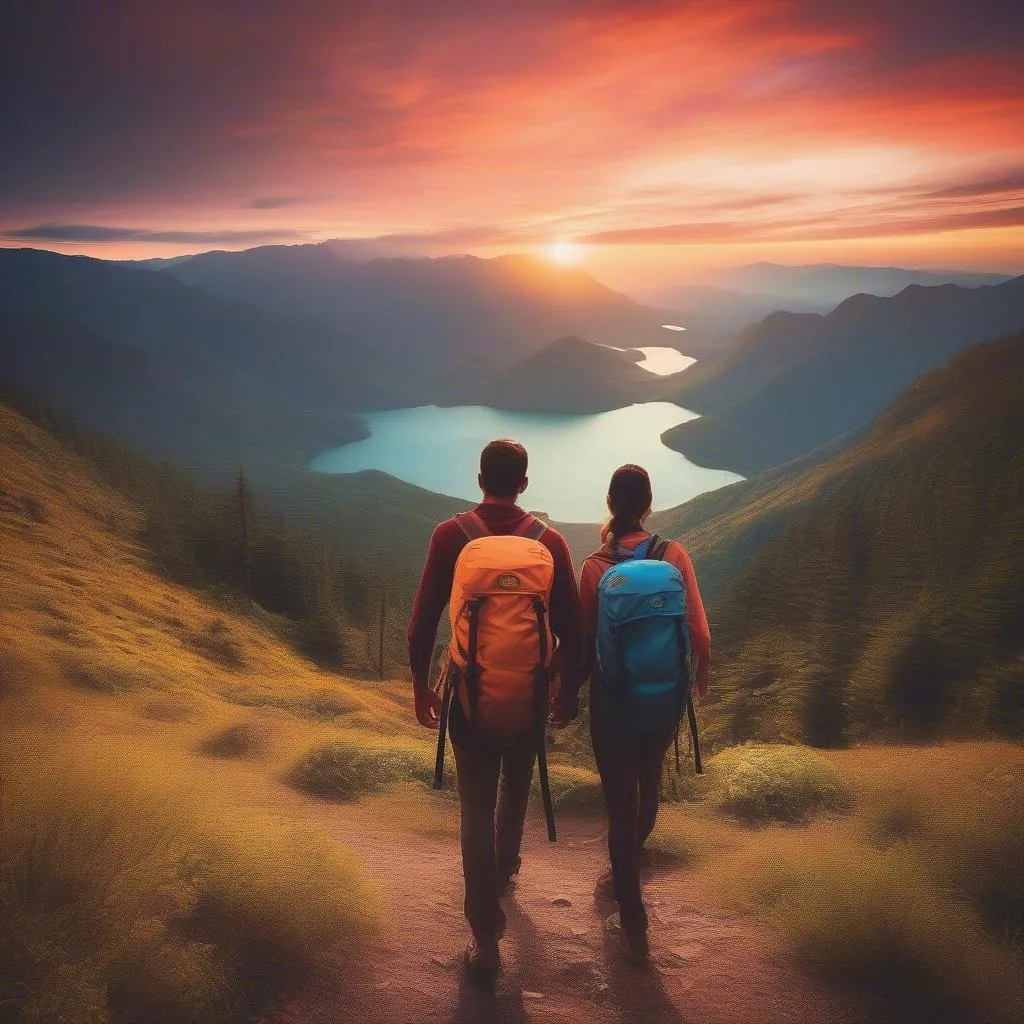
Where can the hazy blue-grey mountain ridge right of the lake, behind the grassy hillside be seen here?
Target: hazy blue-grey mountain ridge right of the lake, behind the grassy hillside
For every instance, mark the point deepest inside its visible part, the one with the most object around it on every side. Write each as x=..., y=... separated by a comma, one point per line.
x=794, y=382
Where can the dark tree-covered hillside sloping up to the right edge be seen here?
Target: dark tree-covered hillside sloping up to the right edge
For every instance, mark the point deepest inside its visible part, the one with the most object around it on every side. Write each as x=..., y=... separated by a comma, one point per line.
x=879, y=592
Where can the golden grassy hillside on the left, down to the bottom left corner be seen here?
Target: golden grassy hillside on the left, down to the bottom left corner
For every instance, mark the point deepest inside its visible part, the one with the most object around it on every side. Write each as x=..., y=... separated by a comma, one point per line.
x=130, y=885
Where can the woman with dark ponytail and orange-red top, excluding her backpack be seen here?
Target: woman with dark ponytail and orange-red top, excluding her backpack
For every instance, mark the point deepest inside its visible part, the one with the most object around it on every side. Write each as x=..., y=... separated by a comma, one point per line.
x=631, y=771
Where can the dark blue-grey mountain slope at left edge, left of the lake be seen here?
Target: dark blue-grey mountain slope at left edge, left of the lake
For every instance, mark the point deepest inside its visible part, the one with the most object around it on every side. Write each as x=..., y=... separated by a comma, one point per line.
x=175, y=369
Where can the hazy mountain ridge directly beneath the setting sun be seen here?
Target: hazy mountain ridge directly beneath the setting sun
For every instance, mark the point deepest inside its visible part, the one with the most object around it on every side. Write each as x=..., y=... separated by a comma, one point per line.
x=429, y=316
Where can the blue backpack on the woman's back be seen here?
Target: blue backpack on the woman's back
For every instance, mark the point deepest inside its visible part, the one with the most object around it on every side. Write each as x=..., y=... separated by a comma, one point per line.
x=644, y=678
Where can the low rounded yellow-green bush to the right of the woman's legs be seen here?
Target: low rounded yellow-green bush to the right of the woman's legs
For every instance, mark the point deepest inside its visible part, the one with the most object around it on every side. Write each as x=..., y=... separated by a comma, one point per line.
x=759, y=783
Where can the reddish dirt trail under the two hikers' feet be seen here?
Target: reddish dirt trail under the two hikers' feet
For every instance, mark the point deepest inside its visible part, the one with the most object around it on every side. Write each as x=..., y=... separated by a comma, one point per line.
x=559, y=963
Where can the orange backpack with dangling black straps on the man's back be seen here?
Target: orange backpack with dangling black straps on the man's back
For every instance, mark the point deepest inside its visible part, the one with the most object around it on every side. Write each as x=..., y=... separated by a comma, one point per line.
x=501, y=651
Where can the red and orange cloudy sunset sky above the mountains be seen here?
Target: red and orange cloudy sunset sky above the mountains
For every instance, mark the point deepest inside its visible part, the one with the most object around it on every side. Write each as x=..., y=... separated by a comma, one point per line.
x=662, y=139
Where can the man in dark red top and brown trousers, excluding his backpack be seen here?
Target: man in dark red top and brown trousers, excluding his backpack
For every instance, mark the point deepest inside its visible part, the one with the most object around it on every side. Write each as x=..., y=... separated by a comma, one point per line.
x=492, y=777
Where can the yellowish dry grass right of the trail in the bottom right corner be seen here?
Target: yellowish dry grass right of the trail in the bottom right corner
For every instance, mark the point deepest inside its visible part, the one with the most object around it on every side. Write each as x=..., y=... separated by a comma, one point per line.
x=881, y=920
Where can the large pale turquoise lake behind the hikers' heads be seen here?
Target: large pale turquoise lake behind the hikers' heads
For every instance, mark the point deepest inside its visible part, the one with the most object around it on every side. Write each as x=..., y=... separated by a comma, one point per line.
x=572, y=457
